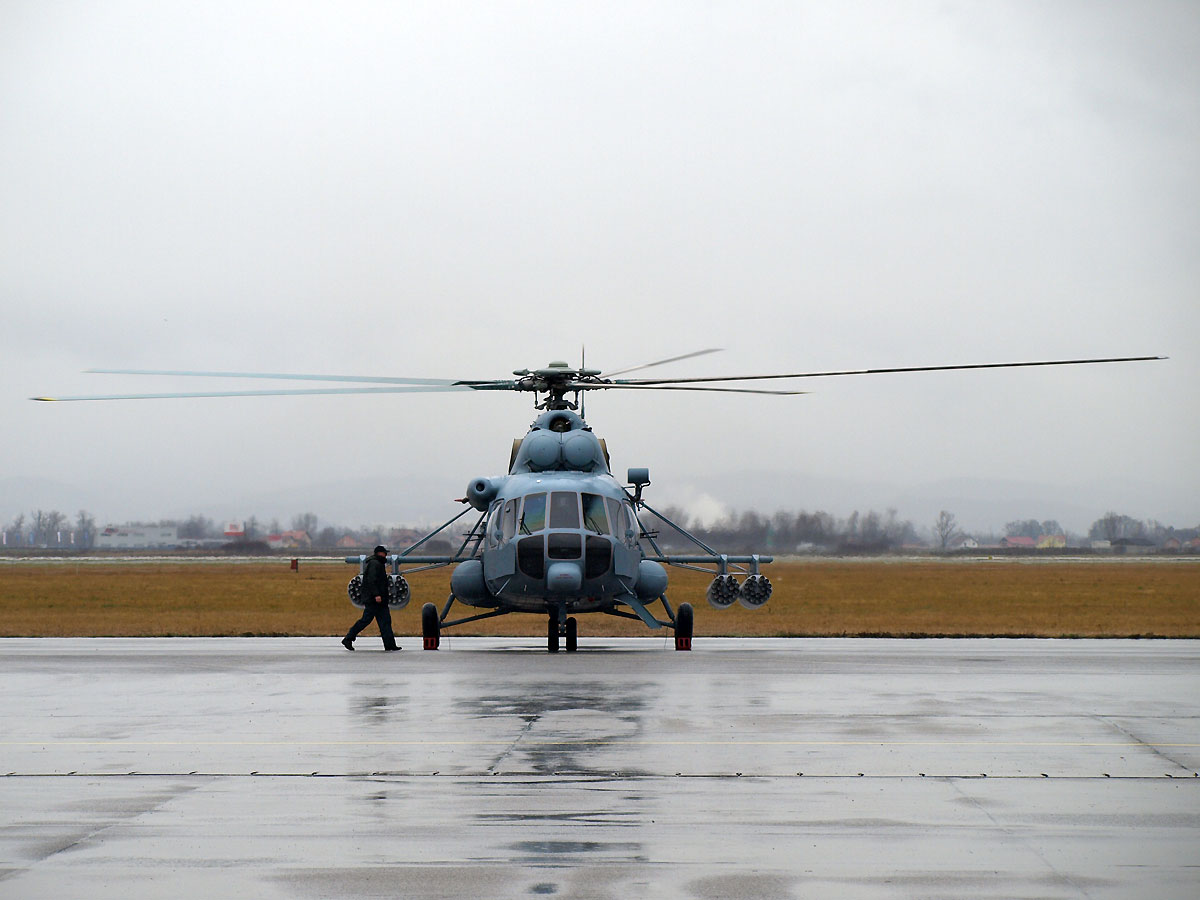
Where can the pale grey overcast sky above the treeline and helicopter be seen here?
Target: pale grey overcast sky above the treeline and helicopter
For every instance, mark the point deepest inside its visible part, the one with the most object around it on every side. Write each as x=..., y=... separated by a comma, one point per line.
x=460, y=190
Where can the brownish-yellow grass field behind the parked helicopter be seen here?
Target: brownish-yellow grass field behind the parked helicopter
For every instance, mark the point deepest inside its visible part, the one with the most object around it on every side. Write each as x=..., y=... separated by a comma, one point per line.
x=813, y=598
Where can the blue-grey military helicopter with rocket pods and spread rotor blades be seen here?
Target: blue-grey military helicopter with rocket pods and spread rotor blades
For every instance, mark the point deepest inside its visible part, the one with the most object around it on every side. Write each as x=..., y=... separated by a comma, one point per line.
x=560, y=536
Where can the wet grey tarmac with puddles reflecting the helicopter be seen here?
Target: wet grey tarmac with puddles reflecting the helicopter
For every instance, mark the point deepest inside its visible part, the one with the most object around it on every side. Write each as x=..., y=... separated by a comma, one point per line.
x=748, y=769
